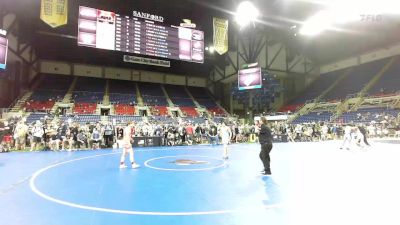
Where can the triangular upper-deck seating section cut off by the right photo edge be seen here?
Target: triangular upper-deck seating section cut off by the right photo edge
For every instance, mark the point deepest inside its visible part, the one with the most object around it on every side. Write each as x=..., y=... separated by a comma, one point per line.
x=389, y=83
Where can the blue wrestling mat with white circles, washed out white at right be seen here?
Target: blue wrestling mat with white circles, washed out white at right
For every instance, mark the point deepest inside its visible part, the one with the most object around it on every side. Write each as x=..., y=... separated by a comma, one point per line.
x=312, y=183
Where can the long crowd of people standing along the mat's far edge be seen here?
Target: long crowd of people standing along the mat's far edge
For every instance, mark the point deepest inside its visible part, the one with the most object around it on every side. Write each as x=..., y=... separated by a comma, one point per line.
x=58, y=135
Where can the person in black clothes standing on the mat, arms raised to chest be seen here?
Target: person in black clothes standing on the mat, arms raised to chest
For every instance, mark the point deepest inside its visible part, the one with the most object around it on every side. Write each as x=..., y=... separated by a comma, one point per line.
x=265, y=139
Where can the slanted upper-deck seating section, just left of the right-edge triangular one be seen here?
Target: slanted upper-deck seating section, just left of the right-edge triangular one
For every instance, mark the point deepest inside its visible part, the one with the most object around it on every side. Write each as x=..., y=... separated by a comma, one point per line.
x=356, y=80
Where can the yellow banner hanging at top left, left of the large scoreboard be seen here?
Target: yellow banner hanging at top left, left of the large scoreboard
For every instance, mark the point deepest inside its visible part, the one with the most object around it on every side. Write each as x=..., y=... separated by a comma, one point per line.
x=54, y=12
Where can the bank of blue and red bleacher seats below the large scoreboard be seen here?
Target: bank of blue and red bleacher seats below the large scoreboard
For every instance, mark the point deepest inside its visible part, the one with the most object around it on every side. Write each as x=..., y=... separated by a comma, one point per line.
x=88, y=92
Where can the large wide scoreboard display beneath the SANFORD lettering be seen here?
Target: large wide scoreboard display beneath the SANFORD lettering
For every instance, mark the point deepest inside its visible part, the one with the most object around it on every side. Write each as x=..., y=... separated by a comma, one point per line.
x=108, y=30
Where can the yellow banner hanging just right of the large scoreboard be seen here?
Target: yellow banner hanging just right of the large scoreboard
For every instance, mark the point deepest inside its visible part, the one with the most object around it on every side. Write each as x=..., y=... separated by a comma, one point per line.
x=220, y=35
